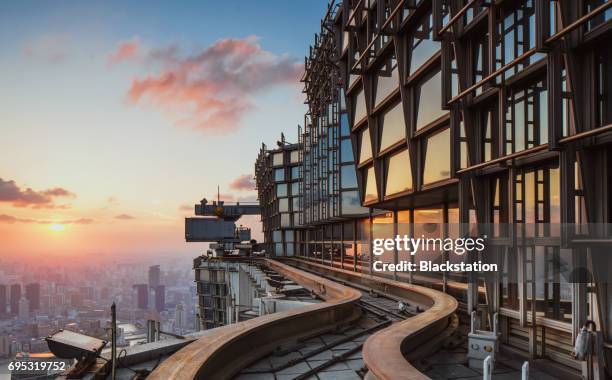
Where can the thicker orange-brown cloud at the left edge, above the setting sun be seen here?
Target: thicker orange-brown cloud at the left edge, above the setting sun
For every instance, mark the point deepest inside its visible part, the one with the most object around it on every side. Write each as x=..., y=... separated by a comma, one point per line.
x=18, y=197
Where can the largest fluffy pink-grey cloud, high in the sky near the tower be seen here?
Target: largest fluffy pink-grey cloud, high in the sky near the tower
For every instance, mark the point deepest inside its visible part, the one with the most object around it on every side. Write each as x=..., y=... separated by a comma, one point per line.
x=213, y=89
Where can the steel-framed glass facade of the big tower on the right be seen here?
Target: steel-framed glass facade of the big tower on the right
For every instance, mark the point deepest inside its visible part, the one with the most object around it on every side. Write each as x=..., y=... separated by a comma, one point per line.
x=497, y=116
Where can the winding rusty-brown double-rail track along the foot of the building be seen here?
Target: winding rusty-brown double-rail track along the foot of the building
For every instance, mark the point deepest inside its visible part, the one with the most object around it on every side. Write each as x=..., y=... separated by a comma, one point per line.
x=386, y=353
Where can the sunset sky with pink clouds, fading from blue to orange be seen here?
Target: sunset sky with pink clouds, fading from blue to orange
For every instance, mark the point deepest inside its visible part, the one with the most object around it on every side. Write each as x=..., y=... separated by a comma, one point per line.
x=116, y=117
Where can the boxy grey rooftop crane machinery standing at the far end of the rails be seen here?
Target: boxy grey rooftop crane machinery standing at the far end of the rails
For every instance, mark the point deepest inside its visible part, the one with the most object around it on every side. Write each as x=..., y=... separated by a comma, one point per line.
x=218, y=226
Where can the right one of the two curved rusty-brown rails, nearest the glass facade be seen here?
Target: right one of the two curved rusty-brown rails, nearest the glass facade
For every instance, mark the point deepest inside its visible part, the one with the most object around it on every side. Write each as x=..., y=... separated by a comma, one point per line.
x=386, y=353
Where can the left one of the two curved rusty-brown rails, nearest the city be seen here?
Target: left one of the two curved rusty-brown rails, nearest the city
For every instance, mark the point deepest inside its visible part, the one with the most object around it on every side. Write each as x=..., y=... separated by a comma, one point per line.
x=226, y=350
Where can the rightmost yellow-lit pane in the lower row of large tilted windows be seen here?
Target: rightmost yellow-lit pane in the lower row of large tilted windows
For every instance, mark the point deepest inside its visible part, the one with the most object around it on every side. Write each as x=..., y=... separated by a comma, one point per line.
x=437, y=160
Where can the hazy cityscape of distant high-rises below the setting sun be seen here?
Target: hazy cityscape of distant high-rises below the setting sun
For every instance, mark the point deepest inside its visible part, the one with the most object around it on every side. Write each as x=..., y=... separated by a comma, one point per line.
x=37, y=299
